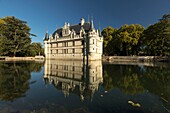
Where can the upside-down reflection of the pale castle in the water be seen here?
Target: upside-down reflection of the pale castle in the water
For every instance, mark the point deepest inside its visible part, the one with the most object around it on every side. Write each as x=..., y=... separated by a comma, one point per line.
x=82, y=78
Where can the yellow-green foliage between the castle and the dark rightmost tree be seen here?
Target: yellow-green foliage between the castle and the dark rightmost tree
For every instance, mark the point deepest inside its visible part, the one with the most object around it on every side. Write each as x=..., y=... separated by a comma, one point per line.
x=123, y=41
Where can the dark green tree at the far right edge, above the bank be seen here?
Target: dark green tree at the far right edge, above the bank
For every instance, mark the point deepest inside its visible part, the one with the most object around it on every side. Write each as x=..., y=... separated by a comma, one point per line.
x=156, y=38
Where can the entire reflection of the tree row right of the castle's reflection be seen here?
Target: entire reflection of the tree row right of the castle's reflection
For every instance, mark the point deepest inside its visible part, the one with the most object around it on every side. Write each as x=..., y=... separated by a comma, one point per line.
x=134, y=79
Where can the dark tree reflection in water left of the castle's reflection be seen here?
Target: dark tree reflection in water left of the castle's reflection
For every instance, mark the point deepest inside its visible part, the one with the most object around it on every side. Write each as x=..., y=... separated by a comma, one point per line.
x=14, y=79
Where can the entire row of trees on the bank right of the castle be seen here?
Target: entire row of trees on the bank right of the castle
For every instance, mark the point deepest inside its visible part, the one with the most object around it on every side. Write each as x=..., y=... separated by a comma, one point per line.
x=136, y=40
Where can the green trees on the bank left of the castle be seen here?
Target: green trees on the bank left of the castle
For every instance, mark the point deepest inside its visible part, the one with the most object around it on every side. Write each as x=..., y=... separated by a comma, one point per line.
x=15, y=38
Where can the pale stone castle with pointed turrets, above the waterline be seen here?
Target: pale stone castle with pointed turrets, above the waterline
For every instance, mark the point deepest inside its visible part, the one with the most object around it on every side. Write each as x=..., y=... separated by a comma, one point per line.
x=77, y=42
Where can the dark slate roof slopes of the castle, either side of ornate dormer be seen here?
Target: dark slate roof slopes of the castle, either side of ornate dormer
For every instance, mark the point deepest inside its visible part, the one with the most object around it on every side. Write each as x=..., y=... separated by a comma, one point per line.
x=76, y=28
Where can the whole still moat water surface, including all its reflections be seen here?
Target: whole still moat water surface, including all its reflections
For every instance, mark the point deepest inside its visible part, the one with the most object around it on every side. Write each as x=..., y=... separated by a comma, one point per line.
x=84, y=87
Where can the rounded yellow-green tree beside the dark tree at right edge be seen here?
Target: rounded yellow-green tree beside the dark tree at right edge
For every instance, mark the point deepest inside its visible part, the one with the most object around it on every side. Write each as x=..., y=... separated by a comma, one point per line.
x=128, y=37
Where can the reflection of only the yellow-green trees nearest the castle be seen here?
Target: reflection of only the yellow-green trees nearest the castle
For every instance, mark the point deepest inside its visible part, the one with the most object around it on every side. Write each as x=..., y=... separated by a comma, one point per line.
x=126, y=78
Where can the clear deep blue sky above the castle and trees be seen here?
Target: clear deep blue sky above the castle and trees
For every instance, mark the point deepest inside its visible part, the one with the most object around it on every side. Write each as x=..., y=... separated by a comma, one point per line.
x=43, y=15
